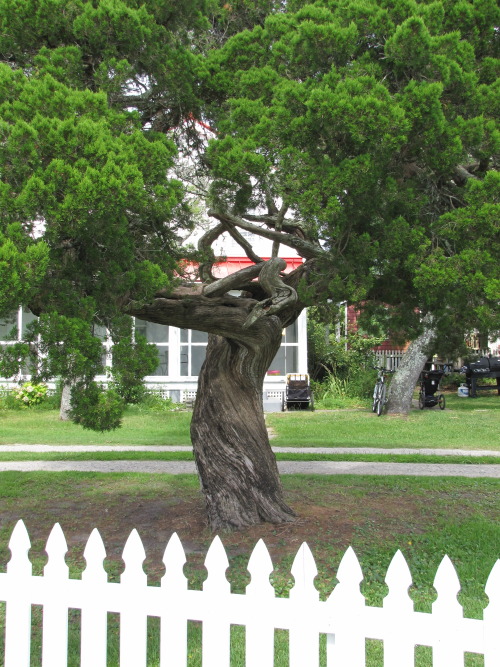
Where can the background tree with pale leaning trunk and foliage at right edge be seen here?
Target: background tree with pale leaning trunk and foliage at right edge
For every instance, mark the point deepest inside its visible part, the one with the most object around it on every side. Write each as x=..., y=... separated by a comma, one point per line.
x=461, y=273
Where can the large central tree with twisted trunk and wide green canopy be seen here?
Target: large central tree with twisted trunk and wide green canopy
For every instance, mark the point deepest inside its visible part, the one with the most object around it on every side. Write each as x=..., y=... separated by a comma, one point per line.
x=344, y=130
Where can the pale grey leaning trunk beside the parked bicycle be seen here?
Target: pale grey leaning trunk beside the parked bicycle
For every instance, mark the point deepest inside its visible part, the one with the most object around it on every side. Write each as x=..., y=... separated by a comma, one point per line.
x=406, y=377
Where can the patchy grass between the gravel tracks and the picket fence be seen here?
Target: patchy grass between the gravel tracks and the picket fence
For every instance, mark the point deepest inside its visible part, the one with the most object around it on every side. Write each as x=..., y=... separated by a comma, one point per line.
x=425, y=518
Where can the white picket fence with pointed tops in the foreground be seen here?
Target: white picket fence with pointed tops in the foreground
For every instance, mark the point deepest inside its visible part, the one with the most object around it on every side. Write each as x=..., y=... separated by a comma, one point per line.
x=344, y=617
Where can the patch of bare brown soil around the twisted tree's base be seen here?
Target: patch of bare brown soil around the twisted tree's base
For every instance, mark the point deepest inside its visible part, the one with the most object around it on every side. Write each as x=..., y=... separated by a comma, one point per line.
x=327, y=523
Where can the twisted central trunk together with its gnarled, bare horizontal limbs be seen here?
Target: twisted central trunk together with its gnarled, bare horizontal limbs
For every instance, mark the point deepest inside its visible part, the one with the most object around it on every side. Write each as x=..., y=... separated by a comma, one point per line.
x=237, y=468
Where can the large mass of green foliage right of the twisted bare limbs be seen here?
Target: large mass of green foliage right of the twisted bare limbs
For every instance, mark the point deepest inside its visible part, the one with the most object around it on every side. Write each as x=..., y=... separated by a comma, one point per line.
x=357, y=114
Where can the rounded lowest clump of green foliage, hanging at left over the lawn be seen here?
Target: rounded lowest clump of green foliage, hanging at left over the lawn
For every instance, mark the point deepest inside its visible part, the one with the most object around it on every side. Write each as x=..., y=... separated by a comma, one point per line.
x=96, y=408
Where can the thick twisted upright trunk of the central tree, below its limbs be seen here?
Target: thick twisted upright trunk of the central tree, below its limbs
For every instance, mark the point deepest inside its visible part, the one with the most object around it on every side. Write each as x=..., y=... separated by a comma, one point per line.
x=236, y=465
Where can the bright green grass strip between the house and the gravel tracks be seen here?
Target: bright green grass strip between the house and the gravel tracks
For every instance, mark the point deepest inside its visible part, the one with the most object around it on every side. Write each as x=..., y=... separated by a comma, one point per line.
x=465, y=424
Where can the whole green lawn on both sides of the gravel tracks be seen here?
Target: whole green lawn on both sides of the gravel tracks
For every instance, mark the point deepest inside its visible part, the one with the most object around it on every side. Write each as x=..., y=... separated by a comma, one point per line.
x=424, y=517
